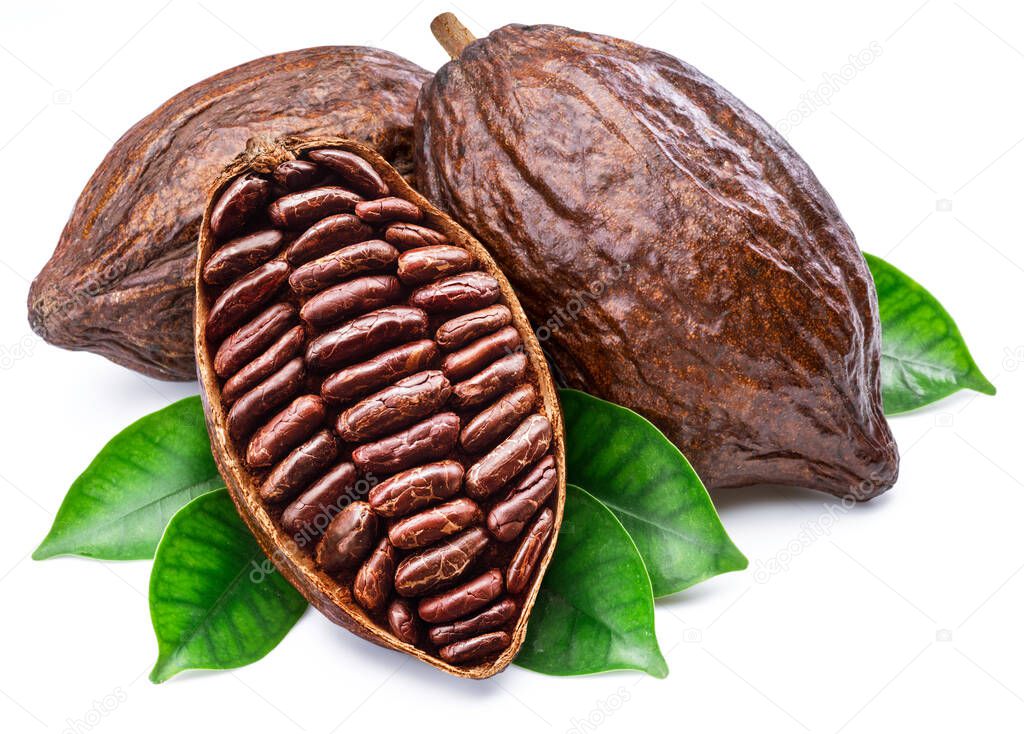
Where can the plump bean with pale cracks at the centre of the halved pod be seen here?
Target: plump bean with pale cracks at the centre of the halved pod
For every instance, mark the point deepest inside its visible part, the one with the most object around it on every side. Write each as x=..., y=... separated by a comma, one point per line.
x=407, y=402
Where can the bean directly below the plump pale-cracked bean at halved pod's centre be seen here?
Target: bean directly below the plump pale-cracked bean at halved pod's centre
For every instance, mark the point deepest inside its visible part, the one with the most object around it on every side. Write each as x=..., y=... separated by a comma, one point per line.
x=429, y=441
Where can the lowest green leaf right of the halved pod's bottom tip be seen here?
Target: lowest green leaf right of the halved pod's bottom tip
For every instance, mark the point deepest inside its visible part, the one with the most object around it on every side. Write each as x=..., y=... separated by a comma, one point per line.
x=595, y=611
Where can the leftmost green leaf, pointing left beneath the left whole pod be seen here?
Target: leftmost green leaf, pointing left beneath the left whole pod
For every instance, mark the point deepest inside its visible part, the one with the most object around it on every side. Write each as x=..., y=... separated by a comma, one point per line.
x=119, y=507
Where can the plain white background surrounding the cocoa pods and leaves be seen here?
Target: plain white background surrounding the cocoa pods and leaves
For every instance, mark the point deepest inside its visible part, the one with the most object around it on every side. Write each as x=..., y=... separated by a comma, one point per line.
x=902, y=614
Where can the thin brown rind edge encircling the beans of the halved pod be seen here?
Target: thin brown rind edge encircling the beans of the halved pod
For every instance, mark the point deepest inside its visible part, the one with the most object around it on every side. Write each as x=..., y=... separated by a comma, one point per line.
x=331, y=598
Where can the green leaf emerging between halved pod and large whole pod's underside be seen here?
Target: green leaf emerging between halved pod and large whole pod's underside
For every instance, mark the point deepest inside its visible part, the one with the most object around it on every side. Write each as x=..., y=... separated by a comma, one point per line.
x=629, y=465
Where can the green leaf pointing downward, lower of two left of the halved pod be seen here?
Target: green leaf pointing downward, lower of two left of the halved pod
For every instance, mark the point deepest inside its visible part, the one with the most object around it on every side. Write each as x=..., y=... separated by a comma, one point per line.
x=216, y=600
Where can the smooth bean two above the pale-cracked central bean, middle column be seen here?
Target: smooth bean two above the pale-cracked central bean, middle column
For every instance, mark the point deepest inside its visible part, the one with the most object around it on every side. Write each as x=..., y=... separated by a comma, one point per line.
x=366, y=335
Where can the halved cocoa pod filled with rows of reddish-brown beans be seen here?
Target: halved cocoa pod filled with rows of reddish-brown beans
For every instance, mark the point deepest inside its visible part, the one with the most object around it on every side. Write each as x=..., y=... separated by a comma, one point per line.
x=390, y=477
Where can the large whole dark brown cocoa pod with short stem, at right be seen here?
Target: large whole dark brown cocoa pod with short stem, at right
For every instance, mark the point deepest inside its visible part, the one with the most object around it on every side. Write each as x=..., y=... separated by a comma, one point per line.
x=677, y=256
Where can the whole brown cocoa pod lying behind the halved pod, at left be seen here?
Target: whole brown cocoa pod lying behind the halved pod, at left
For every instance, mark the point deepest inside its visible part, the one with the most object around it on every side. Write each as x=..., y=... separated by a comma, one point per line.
x=120, y=283
